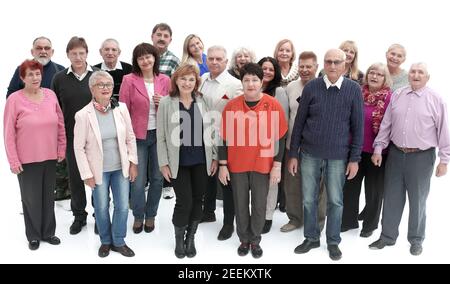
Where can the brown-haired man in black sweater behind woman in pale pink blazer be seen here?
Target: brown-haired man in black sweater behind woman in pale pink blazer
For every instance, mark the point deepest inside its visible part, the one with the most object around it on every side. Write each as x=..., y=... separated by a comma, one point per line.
x=72, y=89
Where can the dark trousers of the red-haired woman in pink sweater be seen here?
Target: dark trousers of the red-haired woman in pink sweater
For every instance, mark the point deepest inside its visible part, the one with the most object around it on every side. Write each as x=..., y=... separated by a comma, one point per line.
x=37, y=185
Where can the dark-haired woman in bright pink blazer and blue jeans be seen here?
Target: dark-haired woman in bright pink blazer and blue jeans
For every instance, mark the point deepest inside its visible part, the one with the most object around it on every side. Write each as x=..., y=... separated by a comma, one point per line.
x=141, y=91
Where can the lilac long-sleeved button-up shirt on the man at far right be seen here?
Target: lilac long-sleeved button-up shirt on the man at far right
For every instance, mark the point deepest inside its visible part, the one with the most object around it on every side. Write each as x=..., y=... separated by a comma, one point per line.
x=415, y=119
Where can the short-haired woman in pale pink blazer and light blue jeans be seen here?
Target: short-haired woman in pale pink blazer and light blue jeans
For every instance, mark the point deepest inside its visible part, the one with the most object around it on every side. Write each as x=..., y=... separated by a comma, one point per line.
x=105, y=150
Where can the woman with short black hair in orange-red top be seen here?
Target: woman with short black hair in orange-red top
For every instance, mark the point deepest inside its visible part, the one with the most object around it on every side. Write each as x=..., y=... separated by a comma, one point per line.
x=254, y=129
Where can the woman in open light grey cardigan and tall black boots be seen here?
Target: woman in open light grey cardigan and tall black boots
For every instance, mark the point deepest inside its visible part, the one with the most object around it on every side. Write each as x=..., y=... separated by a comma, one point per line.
x=186, y=154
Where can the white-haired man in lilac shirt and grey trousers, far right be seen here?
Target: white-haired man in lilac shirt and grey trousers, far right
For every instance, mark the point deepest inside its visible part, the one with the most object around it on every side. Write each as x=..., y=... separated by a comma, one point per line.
x=414, y=124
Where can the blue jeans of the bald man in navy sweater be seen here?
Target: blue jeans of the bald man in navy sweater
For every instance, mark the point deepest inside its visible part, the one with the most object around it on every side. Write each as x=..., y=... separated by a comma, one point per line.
x=334, y=176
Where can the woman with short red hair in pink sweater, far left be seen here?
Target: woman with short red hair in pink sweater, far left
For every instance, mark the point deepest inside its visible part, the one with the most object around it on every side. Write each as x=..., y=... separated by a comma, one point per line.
x=35, y=139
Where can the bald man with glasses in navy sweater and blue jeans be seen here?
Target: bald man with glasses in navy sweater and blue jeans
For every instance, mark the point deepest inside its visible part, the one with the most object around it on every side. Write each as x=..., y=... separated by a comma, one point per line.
x=327, y=137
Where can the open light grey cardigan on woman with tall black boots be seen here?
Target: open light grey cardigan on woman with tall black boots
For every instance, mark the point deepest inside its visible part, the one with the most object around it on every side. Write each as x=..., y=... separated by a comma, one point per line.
x=168, y=133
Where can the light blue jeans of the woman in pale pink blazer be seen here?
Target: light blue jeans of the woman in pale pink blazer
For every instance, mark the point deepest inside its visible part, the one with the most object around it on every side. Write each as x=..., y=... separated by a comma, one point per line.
x=112, y=233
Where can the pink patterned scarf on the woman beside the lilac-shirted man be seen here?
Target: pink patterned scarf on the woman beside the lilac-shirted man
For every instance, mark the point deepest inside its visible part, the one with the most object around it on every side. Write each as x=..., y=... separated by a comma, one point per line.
x=377, y=100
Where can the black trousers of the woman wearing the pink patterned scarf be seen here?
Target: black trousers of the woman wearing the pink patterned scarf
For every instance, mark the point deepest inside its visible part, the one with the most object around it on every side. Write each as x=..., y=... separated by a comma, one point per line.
x=374, y=187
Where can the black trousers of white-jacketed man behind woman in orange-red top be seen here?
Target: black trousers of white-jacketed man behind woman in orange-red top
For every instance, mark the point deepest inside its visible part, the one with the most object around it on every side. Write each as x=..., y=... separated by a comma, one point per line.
x=209, y=205
